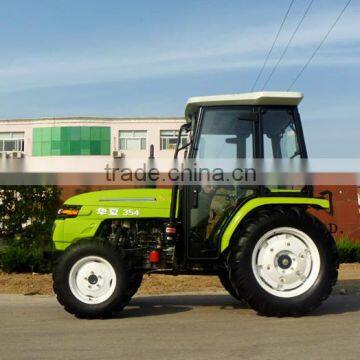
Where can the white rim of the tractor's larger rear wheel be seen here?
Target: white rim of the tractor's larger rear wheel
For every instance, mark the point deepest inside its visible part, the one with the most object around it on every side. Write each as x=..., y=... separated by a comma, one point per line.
x=286, y=262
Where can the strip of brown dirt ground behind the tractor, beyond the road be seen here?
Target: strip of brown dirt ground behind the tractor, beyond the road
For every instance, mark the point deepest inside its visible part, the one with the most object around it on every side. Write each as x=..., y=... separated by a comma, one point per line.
x=37, y=284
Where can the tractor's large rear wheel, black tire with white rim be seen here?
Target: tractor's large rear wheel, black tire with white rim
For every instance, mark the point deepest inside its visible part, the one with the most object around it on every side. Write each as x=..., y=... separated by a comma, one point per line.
x=283, y=262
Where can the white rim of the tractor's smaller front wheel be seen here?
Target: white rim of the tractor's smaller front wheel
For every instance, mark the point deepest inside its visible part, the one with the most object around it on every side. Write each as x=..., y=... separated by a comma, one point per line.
x=92, y=280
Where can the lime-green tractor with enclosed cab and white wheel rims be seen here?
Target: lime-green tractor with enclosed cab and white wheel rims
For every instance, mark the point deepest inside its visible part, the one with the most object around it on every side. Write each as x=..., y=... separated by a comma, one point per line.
x=261, y=241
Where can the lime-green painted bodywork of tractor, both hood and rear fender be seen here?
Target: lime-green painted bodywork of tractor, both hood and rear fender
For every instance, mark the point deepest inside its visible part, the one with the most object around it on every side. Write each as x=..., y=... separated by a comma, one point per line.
x=144, y=204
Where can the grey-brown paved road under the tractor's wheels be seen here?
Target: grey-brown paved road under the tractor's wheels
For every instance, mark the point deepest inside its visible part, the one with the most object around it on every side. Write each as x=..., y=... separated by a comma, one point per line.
x=178, y=327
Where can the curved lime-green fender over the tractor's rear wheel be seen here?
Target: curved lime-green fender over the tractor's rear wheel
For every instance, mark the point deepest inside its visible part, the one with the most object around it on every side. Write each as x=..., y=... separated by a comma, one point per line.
x=261, y=201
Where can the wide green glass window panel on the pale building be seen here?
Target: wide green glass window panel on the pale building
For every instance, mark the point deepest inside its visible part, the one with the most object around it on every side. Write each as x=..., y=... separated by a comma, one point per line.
x=71, y=140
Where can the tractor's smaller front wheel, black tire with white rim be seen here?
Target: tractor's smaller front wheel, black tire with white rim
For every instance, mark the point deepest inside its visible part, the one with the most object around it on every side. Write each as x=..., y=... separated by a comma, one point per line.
x=90, y=280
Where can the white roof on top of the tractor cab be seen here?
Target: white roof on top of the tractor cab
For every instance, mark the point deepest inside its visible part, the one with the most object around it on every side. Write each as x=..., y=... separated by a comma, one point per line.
x=254, y=98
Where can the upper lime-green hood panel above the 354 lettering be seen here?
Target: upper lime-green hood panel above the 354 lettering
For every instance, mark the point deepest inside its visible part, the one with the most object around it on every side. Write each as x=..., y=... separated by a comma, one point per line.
x=134, y=198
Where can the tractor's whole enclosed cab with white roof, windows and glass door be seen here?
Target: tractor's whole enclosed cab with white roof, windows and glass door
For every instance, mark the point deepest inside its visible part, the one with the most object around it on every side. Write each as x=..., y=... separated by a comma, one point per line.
x=228, y=127
